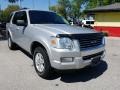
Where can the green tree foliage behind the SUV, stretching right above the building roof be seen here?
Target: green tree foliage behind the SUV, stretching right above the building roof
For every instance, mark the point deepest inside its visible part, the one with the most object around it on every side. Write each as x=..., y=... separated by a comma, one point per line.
x=72, y=8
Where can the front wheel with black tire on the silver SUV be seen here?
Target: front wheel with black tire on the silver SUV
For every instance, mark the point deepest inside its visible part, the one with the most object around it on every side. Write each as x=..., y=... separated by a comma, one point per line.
x=42, y=63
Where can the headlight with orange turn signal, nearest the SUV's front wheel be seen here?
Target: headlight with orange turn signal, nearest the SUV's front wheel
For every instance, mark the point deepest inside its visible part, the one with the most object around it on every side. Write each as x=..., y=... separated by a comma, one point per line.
x=62, y=43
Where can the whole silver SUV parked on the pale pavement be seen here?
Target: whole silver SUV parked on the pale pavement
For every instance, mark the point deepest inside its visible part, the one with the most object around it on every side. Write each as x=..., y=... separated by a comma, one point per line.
x=53, y=43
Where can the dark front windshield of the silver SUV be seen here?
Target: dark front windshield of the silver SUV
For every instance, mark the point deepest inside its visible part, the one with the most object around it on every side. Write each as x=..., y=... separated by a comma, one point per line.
x=44, y=17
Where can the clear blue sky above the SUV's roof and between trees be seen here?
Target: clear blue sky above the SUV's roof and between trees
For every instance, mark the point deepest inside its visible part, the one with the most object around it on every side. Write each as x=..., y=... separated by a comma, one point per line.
x=32, y=4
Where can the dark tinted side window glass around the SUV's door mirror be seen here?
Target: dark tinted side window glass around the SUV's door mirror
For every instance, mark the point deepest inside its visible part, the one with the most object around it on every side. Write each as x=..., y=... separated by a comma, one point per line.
x=20, y=16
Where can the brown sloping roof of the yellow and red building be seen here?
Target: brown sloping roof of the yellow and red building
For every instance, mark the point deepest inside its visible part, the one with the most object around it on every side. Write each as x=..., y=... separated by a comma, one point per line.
x=112, y=7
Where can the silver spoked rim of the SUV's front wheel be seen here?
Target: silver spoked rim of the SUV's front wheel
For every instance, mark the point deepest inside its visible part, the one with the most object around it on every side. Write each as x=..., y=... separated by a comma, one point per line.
x=39, y=62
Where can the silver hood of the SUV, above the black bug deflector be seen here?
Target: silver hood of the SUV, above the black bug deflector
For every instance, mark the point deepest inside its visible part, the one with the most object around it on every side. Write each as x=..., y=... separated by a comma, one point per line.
x=64, y=29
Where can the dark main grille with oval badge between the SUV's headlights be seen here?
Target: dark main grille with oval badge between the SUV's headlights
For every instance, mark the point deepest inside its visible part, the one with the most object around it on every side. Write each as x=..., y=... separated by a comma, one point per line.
x=90, y=41
